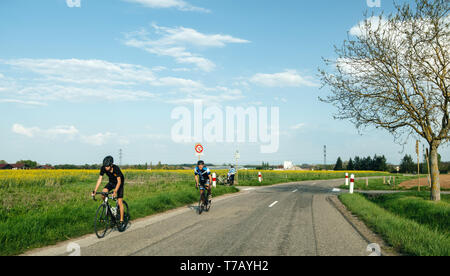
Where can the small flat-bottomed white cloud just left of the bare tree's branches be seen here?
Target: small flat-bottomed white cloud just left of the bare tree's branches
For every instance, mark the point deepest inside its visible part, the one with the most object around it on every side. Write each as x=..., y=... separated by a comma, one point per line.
x=288, y=78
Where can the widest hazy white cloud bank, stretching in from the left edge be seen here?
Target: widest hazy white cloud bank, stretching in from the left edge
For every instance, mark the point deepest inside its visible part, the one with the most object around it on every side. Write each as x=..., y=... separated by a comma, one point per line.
x=78, y=80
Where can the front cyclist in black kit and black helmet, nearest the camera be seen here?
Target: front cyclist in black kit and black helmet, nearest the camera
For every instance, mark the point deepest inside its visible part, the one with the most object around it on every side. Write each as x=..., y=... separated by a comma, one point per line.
x=116, y=183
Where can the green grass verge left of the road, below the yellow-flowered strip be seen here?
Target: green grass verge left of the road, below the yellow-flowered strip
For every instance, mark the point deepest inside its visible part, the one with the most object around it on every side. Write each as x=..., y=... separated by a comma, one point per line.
x=35, y=216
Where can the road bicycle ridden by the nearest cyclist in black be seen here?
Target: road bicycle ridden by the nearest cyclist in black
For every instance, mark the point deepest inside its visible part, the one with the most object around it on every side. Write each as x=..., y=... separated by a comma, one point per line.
x=108, y=217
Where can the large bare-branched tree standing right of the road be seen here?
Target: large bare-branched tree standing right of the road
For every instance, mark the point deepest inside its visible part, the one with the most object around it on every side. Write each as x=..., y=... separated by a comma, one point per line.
x=392, y=72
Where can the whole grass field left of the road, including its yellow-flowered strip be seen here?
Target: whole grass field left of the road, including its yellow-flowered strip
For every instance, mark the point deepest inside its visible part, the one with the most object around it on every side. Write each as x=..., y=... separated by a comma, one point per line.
x=39, y=207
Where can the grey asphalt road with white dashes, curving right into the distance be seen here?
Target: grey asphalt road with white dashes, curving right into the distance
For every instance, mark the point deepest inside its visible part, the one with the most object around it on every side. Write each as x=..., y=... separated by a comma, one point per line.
x=284, y=220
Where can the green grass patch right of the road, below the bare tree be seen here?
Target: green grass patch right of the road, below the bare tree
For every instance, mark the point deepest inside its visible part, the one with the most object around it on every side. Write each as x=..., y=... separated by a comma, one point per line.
x=409, y=222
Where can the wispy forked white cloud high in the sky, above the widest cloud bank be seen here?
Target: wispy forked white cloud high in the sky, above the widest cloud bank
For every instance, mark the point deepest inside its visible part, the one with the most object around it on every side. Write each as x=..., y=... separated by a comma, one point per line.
x=173, y=42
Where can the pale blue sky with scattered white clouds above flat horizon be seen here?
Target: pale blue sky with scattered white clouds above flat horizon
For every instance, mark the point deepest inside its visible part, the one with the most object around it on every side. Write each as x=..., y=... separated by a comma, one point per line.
x=82, y=79
